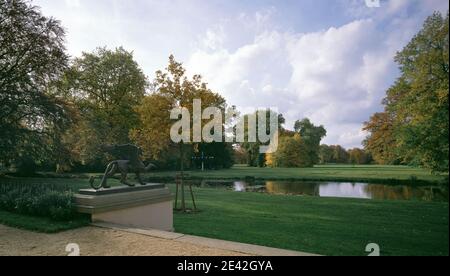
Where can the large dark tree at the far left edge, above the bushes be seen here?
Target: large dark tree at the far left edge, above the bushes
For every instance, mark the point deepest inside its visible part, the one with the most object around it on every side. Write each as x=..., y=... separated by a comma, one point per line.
x=32, y=57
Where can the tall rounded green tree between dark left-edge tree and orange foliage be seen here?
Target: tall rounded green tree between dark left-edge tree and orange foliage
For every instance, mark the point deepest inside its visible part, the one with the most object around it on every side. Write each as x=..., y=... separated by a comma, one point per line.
x=106, y=87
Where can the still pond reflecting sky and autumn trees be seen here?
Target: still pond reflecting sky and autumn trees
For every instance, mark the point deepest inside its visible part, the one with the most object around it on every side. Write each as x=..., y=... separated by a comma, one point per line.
x=335, y=189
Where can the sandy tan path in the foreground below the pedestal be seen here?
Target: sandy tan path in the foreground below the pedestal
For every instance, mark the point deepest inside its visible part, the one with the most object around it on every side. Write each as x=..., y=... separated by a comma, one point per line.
x=95, y=241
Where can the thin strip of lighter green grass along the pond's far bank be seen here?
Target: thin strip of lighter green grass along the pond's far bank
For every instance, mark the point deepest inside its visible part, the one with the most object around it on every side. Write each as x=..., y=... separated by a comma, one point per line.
x=384, y=174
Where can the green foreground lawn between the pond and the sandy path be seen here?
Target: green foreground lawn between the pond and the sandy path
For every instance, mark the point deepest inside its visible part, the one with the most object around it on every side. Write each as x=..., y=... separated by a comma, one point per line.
x=327, y=226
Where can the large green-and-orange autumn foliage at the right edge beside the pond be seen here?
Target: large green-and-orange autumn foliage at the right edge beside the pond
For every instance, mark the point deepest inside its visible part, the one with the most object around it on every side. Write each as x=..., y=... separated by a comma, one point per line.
x=415, y=124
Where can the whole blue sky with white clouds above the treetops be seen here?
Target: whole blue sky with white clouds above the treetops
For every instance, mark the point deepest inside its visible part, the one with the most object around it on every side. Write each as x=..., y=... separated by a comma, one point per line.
x=329, y=60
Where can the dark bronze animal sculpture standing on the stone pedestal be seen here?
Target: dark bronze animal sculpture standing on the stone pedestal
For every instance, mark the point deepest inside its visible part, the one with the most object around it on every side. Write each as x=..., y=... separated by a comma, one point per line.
x=129, y=161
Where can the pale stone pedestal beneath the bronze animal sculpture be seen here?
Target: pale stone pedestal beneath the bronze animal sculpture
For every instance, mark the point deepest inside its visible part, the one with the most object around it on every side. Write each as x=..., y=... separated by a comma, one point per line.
x=146, y=207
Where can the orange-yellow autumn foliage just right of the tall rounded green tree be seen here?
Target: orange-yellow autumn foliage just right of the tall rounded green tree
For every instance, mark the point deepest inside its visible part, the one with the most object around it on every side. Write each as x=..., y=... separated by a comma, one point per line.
x=172, y=89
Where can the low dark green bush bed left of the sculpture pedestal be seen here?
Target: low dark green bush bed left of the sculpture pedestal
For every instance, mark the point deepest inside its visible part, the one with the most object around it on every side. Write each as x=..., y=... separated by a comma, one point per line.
x=52, y=201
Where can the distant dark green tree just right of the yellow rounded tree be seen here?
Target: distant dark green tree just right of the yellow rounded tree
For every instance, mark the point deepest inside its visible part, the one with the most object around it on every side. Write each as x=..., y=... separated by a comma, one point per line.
x=312, y=136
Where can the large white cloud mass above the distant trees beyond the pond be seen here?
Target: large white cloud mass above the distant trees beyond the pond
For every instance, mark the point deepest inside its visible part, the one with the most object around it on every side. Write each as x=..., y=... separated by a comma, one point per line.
x=335, y=77
